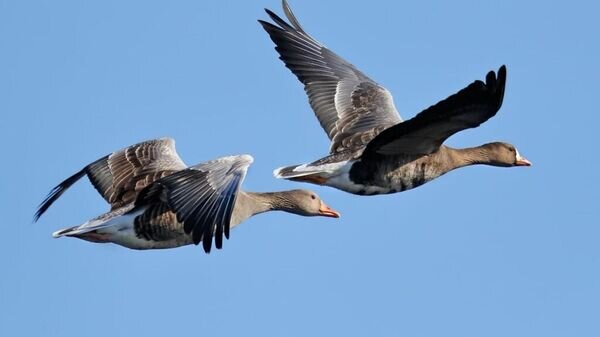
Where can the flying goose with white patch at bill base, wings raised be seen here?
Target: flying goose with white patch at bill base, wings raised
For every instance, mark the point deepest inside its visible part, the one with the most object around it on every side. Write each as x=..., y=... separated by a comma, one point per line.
x=373, y=150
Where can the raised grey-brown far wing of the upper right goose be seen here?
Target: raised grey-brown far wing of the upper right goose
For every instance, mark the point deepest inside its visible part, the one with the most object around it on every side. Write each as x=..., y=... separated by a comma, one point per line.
x=350, y=106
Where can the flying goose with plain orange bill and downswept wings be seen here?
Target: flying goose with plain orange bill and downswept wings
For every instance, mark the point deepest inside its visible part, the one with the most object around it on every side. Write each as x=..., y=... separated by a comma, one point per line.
x=157, y=202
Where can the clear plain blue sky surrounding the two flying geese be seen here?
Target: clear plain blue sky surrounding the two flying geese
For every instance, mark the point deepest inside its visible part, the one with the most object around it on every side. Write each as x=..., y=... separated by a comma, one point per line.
x=482, y=251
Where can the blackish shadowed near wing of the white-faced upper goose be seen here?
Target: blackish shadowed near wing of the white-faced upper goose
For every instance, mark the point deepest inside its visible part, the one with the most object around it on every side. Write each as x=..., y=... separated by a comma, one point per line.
x=425, y=133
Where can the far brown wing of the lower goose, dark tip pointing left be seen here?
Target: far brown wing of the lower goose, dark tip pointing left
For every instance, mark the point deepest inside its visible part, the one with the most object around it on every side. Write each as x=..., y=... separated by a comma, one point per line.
x=119, y=176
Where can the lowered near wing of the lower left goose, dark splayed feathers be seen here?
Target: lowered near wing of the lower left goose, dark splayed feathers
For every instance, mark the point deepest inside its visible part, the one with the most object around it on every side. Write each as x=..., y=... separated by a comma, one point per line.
x=201, y=196
